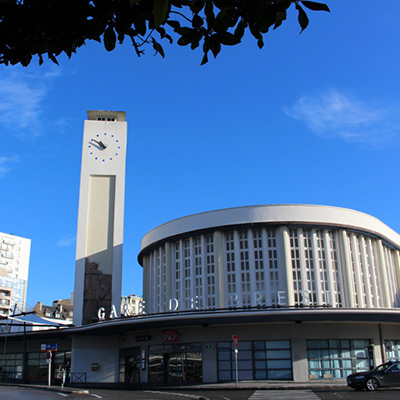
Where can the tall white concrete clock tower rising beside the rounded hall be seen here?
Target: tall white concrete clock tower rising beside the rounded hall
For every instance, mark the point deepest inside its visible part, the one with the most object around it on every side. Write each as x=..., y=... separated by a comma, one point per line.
x=98, y=273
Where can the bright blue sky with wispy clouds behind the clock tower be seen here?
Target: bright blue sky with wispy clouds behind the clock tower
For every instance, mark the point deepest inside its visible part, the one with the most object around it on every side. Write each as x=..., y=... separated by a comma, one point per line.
x=311, y=118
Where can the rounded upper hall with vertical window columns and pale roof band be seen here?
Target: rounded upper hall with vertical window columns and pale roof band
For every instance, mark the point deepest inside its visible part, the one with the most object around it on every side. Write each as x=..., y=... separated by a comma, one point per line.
x=271, y=255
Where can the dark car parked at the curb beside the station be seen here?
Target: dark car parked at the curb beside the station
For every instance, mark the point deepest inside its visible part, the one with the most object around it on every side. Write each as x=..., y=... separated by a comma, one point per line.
x=387, y=374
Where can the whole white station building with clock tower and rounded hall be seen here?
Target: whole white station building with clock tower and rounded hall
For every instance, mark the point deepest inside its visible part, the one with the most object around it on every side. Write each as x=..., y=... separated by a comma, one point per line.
x=309, y=292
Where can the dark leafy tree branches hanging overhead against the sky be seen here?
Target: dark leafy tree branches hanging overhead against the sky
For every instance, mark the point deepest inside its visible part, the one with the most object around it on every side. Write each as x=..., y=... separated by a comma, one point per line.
x=51, y=27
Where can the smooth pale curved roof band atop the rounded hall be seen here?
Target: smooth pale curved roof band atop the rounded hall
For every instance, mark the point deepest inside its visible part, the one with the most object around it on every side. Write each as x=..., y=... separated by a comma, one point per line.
x=276, y=213
